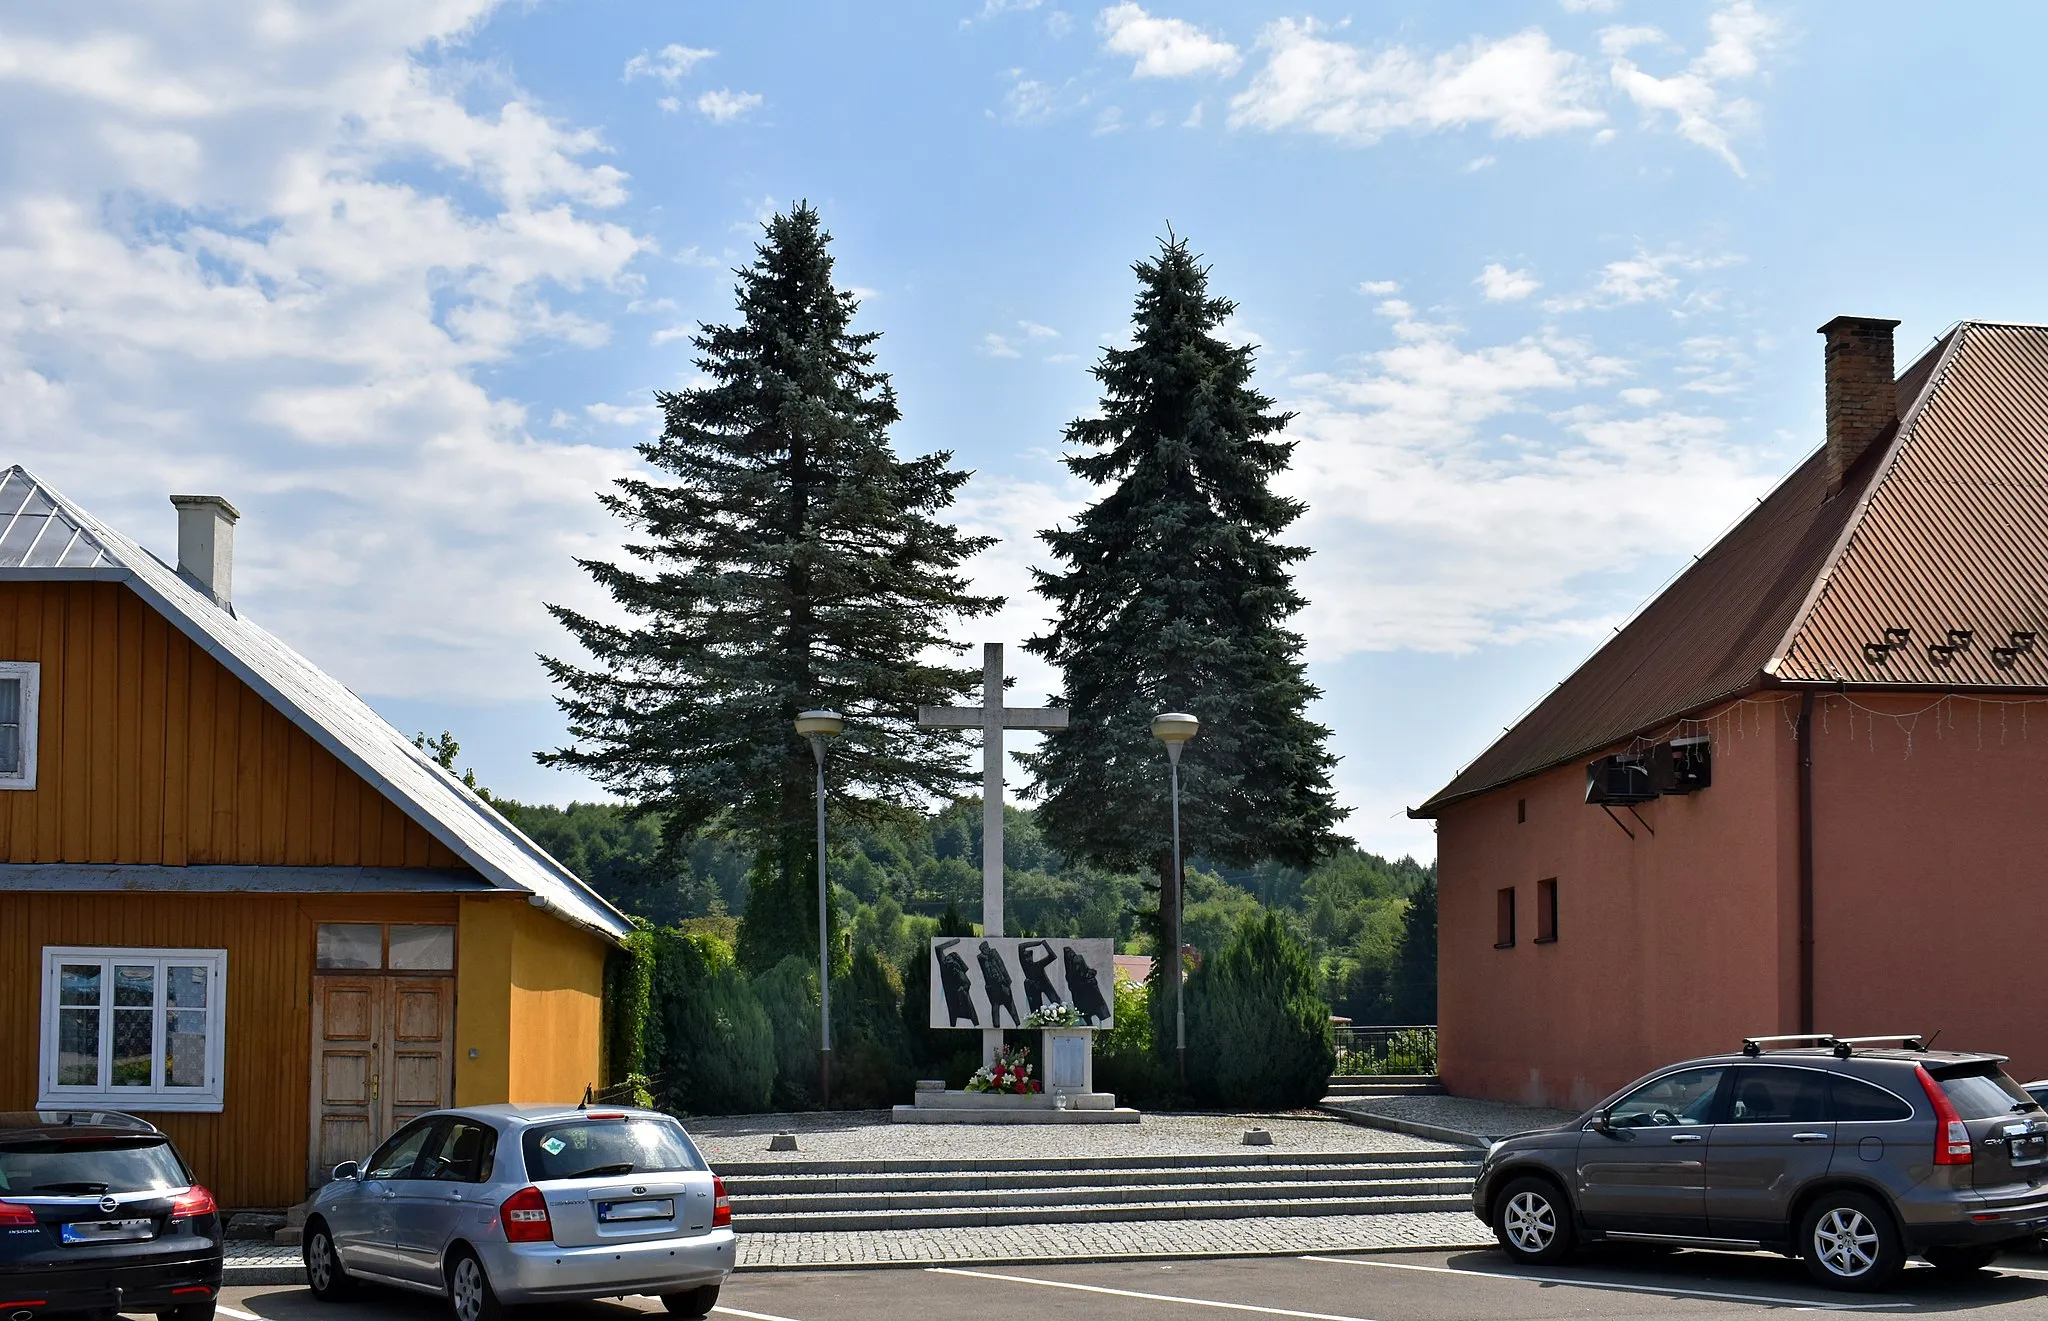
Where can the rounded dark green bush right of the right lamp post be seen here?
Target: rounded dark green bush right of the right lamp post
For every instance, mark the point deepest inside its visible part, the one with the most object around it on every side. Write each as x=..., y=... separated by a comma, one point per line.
x=1258, y=1031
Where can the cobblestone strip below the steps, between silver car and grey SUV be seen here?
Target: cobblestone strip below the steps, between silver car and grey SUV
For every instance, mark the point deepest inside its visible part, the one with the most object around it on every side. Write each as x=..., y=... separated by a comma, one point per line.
x=1113, y=1240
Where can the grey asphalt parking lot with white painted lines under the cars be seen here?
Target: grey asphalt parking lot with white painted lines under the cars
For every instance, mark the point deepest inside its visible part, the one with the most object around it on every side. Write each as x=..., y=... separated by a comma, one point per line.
x=1388, y=1287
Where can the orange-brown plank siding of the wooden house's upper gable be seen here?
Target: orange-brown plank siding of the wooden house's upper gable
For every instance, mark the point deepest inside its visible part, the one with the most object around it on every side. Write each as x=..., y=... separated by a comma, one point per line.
x=153, y=753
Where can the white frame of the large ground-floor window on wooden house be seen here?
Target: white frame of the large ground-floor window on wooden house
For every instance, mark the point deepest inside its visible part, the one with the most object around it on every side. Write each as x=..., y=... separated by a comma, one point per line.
x=142, y=1101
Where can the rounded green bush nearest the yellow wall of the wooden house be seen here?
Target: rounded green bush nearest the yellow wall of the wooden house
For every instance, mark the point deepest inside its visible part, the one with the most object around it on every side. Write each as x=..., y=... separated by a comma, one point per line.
x=708, y=1037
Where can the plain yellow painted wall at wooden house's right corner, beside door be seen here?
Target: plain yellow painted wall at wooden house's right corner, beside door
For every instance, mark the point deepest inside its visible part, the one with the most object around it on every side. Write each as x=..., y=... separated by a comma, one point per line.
x=529, y=1003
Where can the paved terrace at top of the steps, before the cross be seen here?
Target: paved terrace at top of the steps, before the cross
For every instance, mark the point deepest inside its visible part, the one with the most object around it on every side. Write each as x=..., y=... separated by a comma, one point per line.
x=867, y=1136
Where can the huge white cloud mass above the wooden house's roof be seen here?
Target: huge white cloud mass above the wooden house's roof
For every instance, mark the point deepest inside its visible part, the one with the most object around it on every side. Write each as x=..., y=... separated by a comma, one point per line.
x=286, y=259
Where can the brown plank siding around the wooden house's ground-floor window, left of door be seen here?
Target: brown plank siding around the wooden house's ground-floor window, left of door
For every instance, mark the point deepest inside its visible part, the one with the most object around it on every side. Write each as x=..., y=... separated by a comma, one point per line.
x=251, y=1154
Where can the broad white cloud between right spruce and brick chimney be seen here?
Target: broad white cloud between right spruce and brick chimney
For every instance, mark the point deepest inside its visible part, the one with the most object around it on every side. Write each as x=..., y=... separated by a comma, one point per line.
x=1441, y=525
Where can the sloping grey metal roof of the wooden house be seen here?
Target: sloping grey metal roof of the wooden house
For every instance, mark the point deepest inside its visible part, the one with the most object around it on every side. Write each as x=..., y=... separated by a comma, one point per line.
x=44, y=538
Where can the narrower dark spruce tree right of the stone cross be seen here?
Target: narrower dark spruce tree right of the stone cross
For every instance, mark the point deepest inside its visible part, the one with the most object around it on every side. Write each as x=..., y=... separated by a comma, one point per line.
x=1175, y=595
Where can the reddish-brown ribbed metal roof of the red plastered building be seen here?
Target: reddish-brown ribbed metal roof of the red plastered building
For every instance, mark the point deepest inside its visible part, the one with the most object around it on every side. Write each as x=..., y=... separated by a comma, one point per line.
x=1943, y=525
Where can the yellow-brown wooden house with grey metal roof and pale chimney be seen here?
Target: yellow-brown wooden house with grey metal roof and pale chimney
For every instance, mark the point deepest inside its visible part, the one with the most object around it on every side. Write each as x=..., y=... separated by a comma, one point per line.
x=232, y=898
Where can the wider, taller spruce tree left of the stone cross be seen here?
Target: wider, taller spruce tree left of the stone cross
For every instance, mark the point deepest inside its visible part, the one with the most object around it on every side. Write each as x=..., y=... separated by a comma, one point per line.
x=787, y=562
